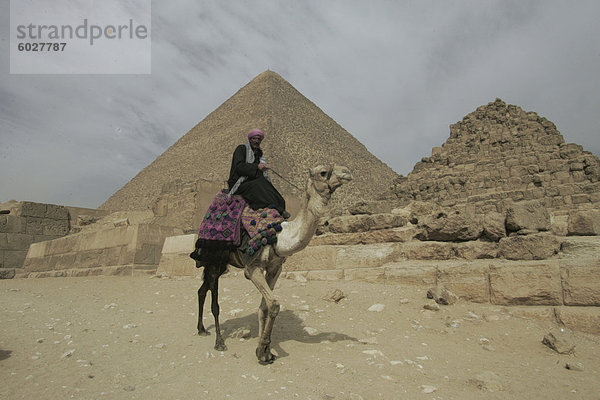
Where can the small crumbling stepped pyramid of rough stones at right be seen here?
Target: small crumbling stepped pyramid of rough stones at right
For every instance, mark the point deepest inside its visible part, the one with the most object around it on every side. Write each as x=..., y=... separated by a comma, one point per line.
x=500, y=152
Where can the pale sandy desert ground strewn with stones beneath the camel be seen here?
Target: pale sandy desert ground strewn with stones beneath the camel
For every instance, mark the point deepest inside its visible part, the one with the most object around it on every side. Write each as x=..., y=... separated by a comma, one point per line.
x=135, y=338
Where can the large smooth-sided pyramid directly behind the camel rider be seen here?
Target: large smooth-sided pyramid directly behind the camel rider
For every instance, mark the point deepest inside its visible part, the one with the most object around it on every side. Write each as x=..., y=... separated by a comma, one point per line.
x=299, y=135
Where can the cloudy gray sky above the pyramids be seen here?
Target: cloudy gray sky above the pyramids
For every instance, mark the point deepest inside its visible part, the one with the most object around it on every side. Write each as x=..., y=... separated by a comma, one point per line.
x=395, y=74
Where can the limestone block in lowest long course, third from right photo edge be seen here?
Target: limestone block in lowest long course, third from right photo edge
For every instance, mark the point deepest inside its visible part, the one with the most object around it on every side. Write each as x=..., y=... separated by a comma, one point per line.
x=467, y=281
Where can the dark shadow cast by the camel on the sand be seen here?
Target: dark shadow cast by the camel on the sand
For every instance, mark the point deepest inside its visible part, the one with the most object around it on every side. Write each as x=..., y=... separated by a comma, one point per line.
x=287, y=327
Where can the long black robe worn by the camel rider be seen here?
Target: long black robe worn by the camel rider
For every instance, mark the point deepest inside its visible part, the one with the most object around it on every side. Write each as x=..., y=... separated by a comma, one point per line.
x=256, y=189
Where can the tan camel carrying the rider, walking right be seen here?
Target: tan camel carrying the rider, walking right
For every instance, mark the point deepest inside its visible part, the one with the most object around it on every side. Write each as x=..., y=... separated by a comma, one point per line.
x=265, y=267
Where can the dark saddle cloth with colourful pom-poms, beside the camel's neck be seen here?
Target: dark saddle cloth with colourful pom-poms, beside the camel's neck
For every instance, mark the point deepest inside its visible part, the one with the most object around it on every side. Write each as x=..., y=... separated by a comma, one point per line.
x=262, y=225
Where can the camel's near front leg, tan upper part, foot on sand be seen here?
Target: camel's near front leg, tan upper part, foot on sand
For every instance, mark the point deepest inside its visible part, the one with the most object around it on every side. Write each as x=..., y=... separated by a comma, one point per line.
x=263, y=351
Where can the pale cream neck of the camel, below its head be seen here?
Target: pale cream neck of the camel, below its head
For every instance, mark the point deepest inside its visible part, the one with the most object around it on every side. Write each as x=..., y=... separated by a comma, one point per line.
x=298, y=232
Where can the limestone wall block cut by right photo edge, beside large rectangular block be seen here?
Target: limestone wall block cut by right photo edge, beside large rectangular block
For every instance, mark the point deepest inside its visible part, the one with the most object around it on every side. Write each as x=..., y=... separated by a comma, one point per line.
x=581, y=282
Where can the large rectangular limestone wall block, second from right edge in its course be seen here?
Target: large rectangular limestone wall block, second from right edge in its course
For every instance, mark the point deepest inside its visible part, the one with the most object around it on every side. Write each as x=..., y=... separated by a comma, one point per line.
x=526, y=284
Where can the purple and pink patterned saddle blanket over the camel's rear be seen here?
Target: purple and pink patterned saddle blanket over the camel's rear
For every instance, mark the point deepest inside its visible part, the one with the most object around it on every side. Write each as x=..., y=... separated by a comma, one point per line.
x=221, y=224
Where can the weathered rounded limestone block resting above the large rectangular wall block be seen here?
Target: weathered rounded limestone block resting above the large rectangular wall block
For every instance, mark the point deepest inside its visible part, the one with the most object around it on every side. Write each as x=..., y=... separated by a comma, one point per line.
x=529, y=247
